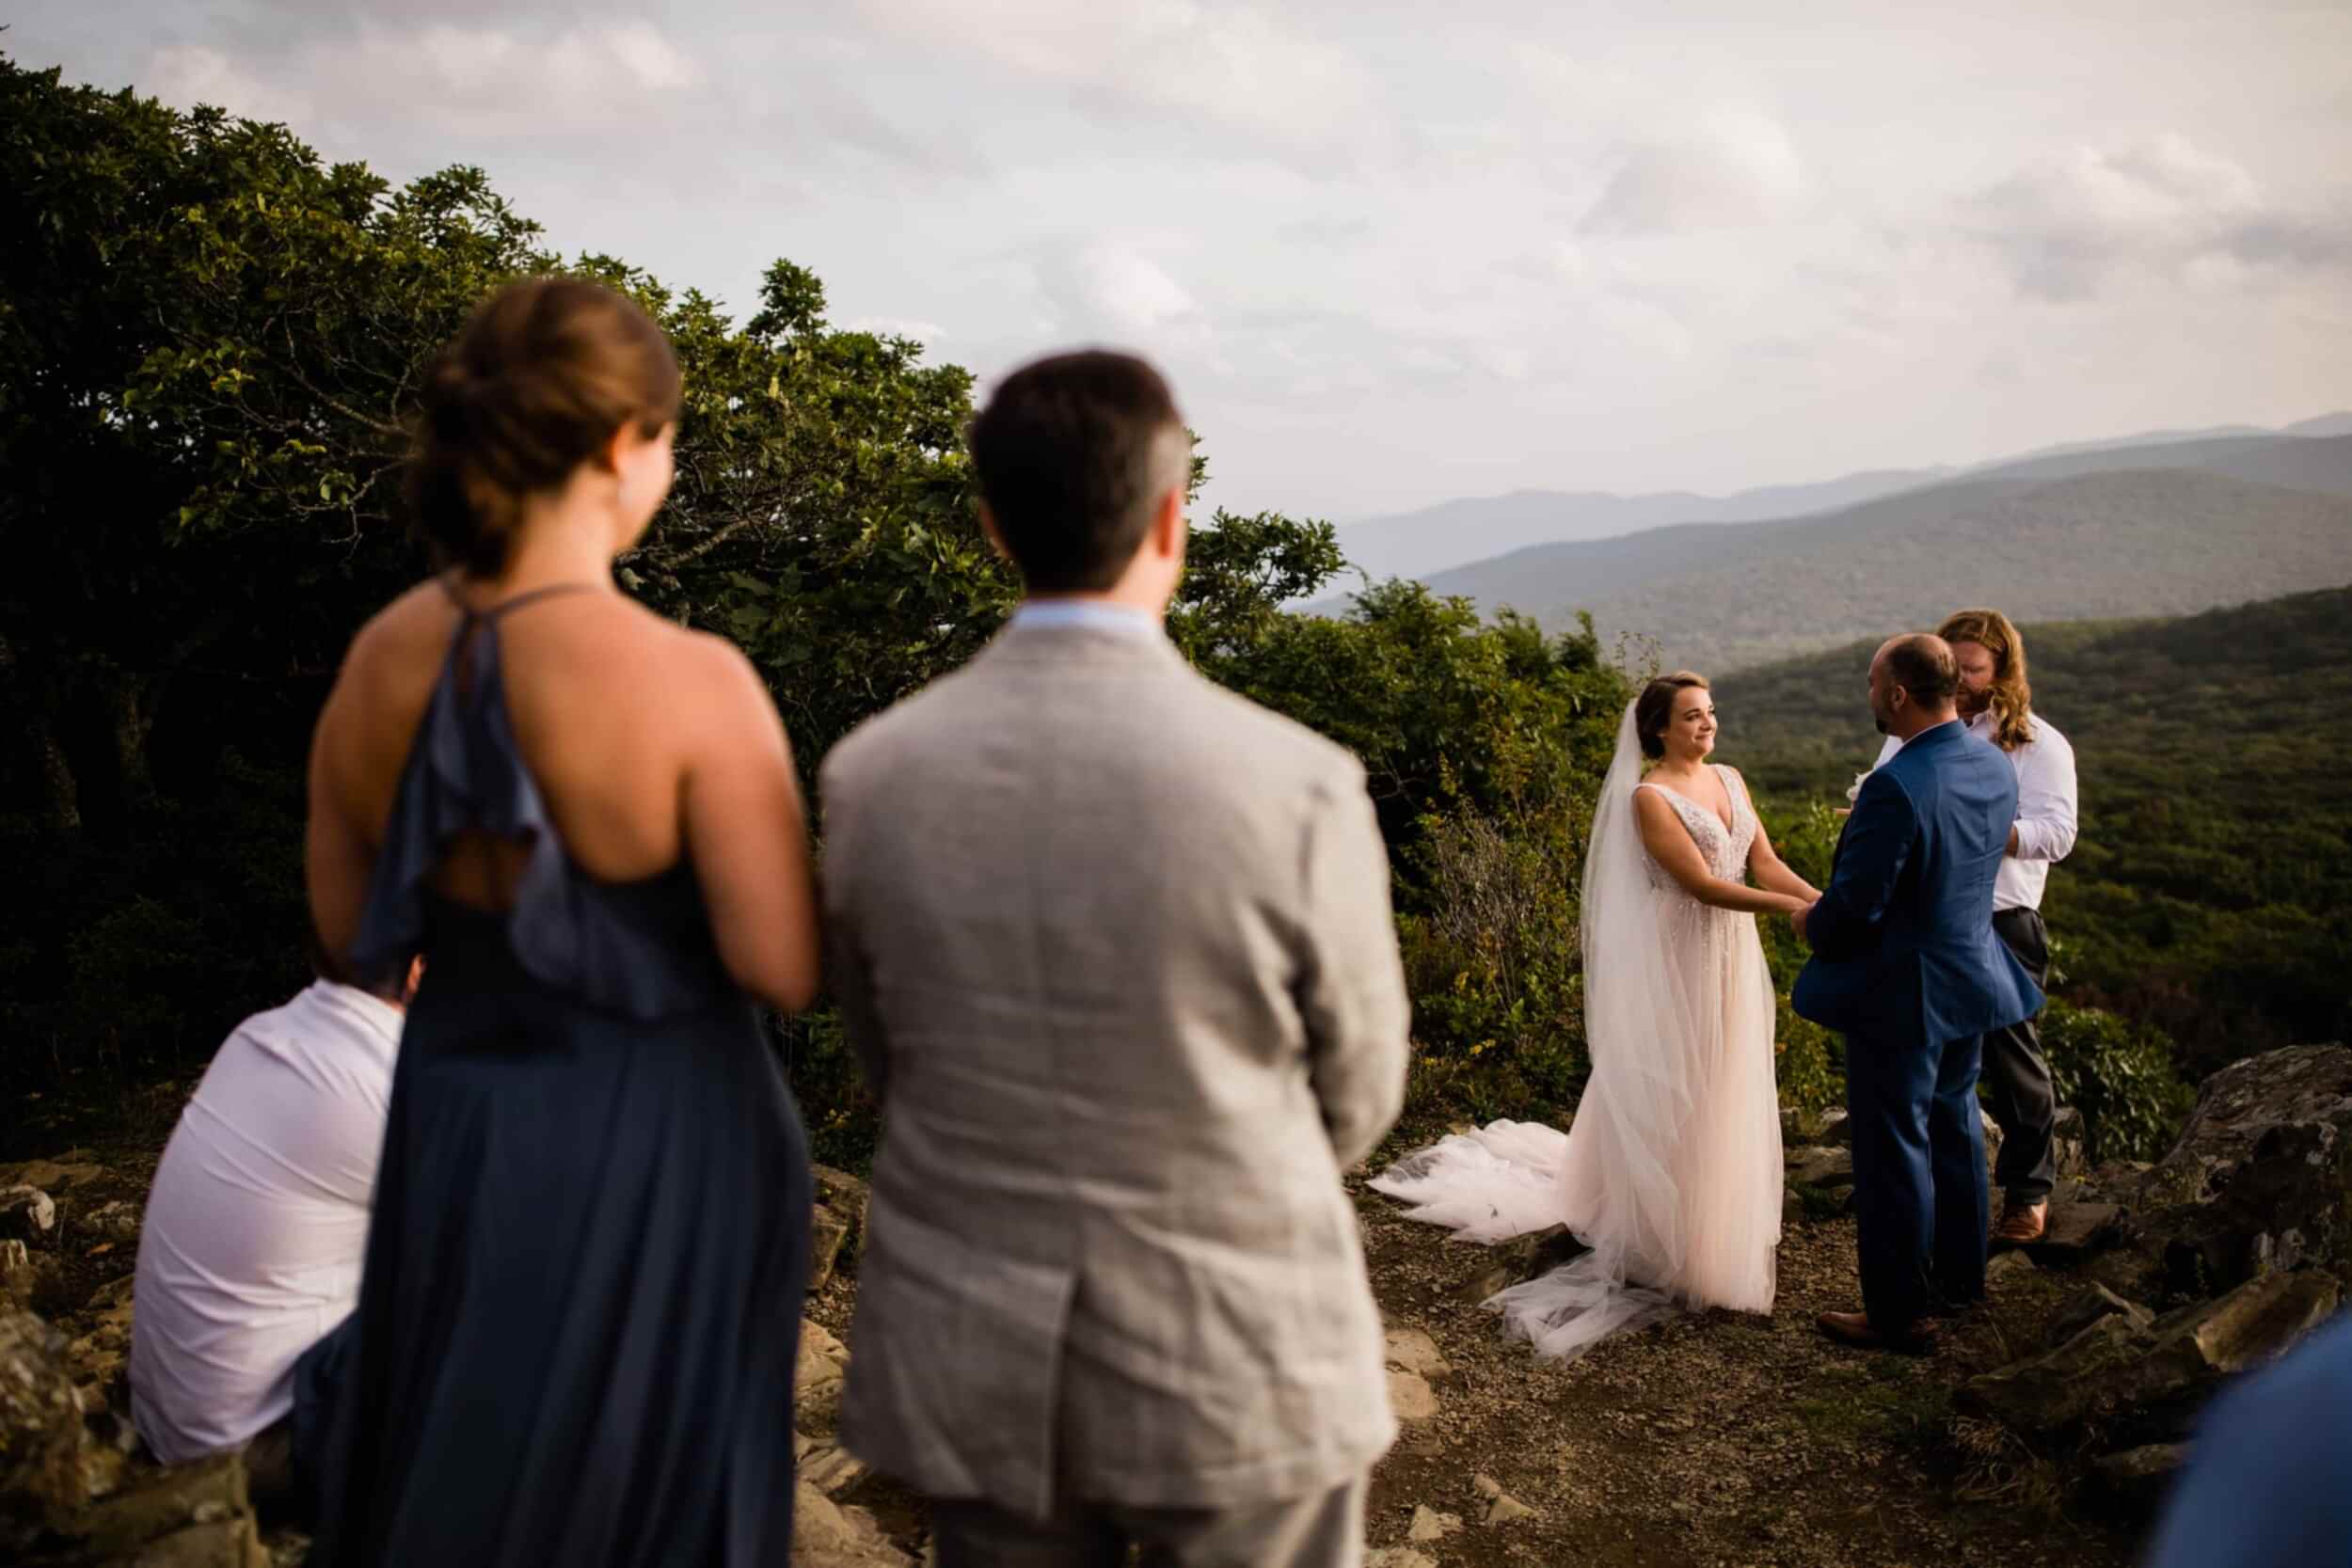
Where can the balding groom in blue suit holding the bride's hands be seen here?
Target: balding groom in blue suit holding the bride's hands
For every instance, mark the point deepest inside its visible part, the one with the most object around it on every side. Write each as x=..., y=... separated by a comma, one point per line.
x=1909, y=970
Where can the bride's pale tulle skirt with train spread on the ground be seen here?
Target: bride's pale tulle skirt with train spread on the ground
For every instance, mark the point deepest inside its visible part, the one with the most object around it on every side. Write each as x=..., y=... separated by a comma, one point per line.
x=1671, y=1170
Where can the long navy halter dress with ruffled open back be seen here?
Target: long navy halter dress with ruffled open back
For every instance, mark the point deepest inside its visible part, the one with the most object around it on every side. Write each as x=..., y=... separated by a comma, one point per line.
x=582, y=1304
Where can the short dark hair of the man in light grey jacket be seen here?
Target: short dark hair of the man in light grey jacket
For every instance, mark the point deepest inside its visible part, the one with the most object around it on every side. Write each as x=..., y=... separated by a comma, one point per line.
x=1074, y=453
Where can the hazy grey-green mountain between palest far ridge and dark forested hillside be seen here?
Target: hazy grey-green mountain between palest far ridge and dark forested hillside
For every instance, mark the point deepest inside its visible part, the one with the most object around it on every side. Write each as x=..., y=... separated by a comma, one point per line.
x=2149, y=528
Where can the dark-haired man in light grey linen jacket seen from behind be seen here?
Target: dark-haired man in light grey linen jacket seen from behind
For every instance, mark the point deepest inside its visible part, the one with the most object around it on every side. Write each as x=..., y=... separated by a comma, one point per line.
x=1116, y=951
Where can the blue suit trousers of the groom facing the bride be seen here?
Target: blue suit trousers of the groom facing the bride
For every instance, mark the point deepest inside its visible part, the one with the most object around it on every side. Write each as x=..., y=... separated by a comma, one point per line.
x=1918, y=1177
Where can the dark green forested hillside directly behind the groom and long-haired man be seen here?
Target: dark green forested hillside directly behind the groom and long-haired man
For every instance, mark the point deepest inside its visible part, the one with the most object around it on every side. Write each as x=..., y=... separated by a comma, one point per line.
x=2214, y=871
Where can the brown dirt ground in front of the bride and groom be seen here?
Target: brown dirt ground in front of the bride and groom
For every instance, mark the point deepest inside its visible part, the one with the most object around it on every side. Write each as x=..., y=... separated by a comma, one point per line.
x=1718, y=1440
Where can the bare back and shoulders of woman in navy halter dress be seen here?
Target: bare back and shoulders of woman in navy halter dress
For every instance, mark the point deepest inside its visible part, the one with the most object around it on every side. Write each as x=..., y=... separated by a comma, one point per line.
x=648, y=744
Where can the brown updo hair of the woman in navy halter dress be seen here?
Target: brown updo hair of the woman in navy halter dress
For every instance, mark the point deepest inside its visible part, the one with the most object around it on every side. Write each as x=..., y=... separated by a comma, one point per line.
x=535, y=387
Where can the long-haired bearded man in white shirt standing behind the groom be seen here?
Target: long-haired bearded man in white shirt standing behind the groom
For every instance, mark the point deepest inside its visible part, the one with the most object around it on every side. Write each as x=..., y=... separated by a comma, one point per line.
x=1996, y=702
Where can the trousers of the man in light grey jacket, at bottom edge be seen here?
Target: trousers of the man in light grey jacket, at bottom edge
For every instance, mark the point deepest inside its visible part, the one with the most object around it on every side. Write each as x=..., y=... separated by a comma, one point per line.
x=1316, y=1532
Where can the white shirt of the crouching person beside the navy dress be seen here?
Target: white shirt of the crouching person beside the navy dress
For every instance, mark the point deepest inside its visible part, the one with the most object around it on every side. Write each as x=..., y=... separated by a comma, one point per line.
x=258, y=1224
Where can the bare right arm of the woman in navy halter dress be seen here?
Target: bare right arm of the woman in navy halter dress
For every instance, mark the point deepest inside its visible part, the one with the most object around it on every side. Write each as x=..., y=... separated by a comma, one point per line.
x=747, y=831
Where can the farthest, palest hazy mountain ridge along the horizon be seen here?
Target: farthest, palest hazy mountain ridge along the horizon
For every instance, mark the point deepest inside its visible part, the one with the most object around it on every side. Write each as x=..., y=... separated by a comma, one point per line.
x=1481, y=528
